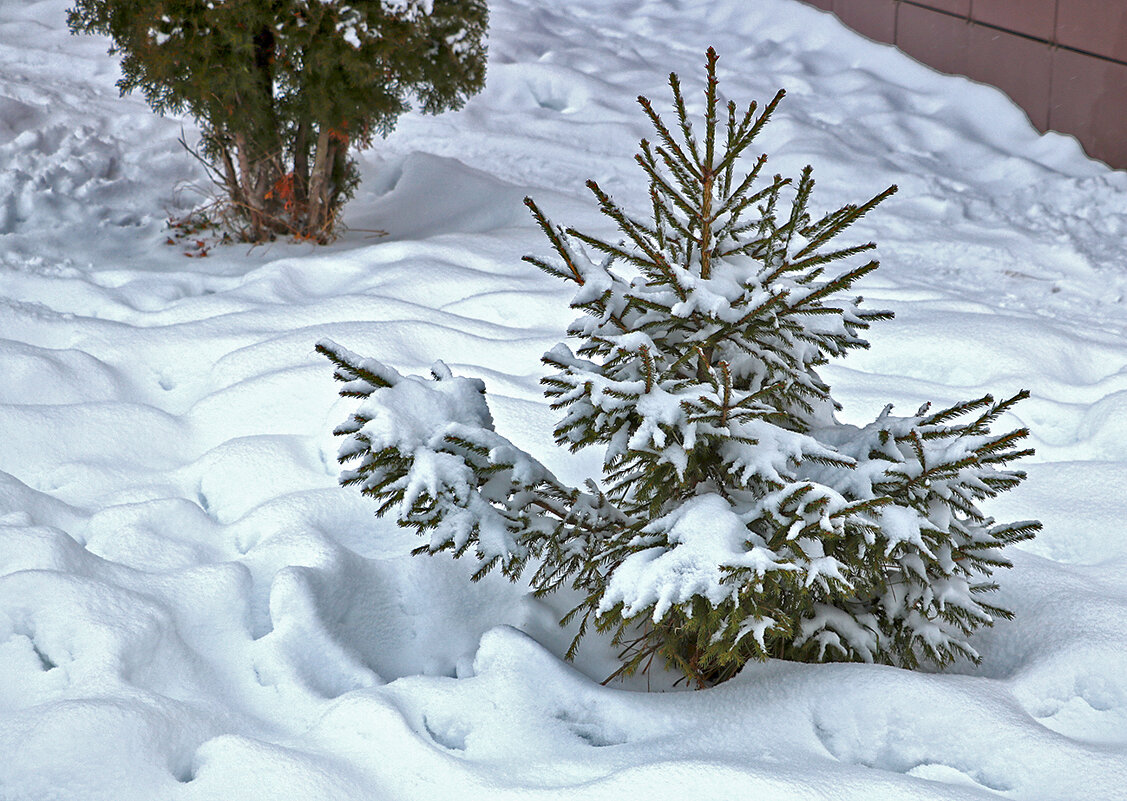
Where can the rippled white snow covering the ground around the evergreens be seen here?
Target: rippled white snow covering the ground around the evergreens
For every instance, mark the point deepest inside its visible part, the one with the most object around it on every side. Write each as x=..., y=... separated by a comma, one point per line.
x=192, y=609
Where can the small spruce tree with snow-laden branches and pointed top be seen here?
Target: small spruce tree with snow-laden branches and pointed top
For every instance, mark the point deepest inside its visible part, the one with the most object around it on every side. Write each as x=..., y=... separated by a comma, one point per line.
x=738, y=519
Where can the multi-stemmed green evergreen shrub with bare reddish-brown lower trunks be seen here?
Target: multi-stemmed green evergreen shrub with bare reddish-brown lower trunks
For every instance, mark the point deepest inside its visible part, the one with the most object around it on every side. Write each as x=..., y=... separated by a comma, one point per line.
x=283, y=88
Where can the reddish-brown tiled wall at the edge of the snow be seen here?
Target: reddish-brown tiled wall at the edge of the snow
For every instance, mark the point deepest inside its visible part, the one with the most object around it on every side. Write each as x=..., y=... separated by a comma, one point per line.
x=1063, y=61
